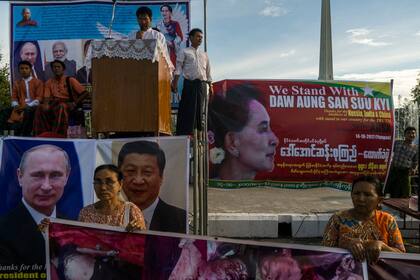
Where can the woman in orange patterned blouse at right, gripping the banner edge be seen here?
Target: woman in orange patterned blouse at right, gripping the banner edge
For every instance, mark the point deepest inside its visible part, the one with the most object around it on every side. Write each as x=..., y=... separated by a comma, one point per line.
x=364, y=230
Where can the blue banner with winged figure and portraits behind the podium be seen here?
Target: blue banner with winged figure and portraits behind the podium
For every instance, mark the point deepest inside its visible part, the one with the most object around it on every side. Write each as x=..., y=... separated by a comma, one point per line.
x=46, y=30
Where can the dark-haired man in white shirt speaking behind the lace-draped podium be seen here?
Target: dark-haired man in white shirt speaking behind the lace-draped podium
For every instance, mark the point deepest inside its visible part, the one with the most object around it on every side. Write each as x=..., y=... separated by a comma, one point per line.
x=144, y=18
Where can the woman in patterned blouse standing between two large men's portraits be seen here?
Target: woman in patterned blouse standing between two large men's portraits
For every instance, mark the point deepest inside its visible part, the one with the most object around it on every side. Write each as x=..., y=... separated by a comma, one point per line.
x=110, y=209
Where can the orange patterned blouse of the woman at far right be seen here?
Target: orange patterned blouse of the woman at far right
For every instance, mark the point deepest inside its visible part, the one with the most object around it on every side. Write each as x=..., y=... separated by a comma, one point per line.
x=382, y=226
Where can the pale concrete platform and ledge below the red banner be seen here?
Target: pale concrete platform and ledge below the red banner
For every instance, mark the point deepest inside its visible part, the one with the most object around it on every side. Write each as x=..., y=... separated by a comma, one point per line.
x=262, y=212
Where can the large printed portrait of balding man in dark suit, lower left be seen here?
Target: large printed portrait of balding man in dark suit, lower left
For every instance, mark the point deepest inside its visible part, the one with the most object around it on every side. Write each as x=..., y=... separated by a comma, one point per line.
x=42, y=174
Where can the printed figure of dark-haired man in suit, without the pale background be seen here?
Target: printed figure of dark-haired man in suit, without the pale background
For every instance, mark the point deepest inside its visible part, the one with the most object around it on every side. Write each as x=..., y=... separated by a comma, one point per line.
x=142, y=164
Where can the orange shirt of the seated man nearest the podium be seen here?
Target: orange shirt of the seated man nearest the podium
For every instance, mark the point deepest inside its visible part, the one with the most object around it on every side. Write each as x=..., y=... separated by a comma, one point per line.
x=58, y=89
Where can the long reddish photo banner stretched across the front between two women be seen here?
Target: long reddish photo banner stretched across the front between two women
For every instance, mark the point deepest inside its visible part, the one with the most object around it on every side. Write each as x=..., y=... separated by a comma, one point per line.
x=103, y=252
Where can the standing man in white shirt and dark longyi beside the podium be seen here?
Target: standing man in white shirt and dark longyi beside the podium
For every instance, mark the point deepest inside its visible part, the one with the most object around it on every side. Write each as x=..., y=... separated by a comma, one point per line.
x=195, y=67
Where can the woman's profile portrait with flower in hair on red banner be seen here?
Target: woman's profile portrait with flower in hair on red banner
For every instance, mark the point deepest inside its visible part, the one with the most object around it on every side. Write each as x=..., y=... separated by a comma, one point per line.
x=240, y=133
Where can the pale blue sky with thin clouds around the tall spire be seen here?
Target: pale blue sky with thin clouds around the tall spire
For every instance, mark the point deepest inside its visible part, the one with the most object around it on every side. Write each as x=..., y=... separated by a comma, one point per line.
x=372, y=40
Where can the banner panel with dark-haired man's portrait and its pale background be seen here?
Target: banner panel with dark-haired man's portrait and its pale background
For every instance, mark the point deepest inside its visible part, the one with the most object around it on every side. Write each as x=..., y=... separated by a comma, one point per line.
x=153, y=168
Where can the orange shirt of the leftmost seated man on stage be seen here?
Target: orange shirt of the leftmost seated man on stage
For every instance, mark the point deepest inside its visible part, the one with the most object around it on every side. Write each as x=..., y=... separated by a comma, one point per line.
x=36, y=89
